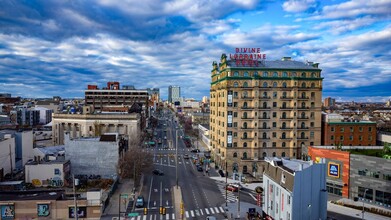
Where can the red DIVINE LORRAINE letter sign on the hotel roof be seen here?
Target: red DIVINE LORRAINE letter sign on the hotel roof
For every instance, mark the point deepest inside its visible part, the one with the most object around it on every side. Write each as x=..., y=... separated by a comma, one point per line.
x=247, y=56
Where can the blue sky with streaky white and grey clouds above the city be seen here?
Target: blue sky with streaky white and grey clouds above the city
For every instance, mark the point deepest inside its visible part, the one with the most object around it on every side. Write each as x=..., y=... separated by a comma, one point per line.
x=54, y=47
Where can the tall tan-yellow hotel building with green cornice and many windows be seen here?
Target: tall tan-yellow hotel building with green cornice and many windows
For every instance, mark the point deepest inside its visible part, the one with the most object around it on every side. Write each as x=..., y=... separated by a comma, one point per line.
x=269, y=109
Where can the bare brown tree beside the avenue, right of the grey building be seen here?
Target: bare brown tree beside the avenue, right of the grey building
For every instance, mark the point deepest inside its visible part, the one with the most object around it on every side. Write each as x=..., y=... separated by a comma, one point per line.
x=135, y=161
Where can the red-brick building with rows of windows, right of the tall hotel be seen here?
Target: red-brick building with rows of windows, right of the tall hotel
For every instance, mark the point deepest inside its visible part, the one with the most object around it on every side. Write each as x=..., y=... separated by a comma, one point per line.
x=347, y=132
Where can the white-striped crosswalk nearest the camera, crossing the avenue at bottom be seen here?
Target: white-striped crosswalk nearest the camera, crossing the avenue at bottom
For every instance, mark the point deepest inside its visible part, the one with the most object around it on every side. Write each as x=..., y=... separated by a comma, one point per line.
x=191, y=214
